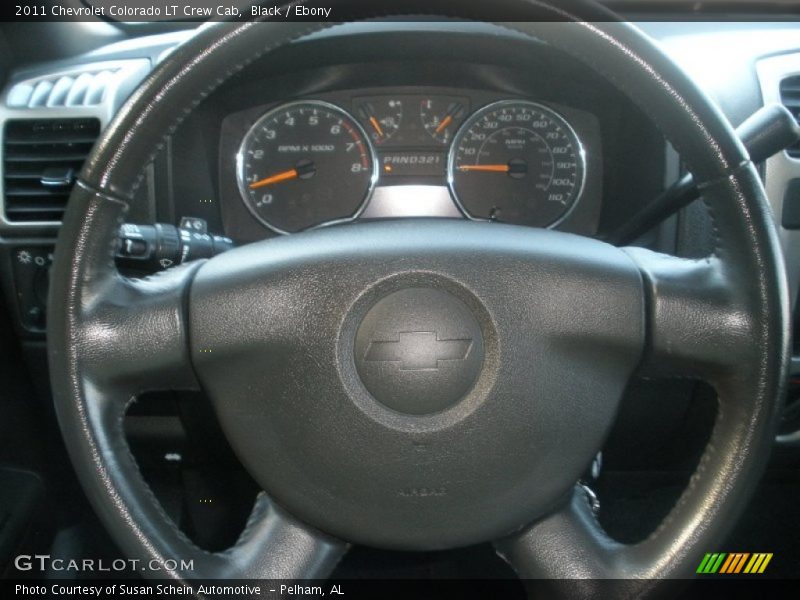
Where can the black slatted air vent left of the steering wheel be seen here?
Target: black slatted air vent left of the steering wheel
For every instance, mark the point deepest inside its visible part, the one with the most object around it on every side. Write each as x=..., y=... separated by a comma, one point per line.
x=41, y=158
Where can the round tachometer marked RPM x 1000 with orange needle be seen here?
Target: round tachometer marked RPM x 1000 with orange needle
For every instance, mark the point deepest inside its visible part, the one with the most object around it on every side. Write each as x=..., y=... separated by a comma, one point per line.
x=305, y=164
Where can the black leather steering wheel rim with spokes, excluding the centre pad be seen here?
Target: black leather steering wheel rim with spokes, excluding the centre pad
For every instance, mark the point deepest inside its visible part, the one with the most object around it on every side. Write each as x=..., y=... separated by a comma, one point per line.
x=722, y=319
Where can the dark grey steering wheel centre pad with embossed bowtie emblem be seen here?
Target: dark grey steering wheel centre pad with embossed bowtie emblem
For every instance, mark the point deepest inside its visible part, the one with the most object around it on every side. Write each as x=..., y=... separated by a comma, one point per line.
x=429, y=395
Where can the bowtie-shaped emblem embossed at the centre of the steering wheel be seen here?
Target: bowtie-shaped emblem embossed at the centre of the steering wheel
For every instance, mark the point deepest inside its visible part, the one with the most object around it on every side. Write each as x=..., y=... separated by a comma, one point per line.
x=417, y=350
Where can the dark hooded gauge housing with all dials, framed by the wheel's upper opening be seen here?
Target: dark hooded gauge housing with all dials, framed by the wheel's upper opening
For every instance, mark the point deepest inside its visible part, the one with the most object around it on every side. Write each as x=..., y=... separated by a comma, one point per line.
x=434, y=124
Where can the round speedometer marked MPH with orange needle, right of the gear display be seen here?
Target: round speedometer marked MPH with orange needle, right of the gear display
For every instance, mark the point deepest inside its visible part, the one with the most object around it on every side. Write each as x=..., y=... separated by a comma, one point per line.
x=517, y=162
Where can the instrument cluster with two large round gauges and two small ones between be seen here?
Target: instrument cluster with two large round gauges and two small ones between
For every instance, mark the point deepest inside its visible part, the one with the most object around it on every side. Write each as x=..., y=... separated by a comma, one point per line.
x=317, y=161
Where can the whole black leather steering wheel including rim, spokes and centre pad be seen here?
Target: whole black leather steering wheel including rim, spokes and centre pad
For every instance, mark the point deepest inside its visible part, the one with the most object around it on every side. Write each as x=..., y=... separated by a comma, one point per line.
x=505, y=349
